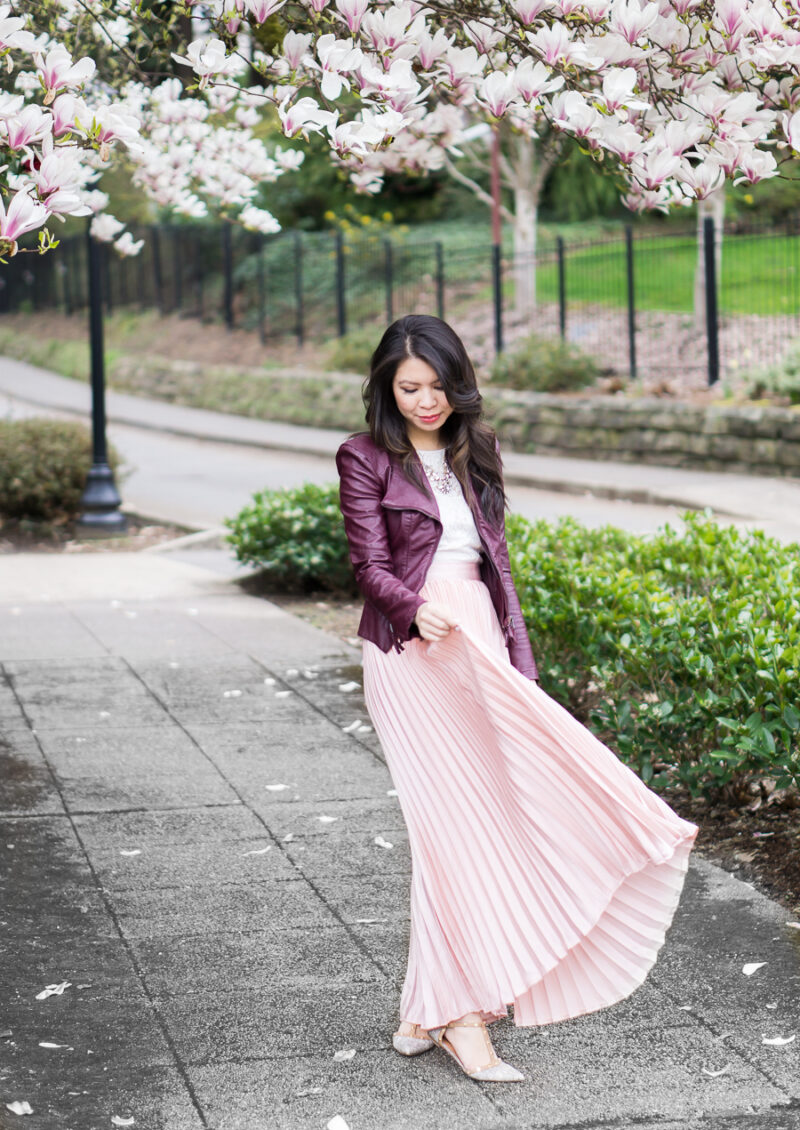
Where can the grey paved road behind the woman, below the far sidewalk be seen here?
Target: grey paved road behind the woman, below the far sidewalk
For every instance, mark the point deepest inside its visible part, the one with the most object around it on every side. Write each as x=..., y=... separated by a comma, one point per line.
x=205, y=482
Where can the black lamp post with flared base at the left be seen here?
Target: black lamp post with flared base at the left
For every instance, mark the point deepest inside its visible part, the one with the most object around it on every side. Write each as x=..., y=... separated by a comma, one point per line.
x=101, y=501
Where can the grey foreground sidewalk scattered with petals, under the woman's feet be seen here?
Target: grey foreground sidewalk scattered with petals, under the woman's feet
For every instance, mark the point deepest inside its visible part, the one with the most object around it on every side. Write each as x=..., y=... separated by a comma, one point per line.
x=189, y=823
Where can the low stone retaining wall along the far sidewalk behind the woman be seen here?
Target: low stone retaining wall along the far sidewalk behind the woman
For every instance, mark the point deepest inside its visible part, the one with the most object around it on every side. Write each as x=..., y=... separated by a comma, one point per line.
x=754, y=439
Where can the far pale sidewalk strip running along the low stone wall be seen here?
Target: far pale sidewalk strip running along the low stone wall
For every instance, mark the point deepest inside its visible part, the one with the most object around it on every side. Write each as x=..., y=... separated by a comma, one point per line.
x=773, y=502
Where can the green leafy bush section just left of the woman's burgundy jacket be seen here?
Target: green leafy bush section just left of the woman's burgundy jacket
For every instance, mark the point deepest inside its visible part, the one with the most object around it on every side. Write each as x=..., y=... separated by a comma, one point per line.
x=297, y=537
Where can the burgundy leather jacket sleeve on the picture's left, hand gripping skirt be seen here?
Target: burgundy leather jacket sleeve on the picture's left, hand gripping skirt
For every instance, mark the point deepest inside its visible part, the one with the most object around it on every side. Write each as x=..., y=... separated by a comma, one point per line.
x=366, y=526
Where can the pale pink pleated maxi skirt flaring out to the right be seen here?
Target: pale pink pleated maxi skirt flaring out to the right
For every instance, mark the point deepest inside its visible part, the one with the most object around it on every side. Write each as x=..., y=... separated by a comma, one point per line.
x=545, y=874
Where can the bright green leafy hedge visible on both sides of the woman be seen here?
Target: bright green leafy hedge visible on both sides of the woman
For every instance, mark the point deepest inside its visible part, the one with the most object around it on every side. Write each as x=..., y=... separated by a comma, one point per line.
x=682, y=651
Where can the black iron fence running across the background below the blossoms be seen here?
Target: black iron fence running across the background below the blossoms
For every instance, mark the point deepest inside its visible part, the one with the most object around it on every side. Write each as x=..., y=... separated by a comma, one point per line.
x=672, y=305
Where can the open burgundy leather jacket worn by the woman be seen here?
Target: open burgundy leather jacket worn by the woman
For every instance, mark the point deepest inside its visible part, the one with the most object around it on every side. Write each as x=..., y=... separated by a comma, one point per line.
x=394, y=528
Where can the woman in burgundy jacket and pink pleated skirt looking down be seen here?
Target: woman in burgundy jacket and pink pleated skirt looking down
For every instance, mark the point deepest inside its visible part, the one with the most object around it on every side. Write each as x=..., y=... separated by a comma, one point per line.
x=545, y=874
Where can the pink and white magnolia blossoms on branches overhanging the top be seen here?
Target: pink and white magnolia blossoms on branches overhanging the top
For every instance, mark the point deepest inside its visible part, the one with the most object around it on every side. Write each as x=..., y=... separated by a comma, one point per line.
x=675, y=95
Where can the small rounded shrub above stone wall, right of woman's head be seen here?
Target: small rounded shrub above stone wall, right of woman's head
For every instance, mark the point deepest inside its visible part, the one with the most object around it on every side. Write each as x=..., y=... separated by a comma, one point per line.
x=545, y=366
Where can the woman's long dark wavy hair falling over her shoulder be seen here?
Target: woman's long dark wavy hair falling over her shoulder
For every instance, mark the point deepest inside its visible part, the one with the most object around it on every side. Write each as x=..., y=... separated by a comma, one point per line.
x=472, y=450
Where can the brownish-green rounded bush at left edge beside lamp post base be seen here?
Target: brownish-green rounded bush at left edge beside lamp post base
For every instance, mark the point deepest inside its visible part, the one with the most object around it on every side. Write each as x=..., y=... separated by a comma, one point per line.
x=44, y=468
